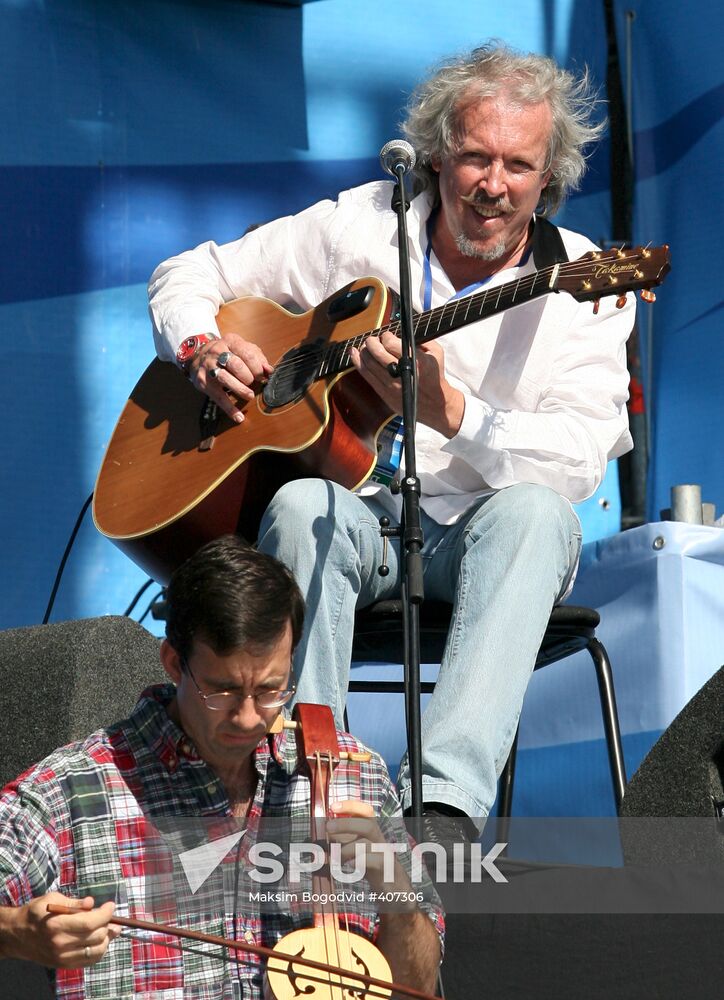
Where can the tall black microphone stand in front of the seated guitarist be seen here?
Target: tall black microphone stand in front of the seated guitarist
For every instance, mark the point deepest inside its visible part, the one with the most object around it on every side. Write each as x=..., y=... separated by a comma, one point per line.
x=410, y=529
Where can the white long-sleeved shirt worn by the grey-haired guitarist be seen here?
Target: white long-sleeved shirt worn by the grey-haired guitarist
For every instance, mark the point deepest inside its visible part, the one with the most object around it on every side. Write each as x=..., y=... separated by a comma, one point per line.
x=545, y=383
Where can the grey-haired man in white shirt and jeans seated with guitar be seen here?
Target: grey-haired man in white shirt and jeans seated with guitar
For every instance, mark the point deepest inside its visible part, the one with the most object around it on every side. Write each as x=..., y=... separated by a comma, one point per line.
x=518, y=413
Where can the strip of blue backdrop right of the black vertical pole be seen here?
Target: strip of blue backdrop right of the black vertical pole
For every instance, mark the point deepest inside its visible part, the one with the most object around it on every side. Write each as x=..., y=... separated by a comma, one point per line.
x=678, y=102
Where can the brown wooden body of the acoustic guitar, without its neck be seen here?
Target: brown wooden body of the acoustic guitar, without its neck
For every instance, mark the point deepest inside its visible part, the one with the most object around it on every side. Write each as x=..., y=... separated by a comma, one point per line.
x=159, y=496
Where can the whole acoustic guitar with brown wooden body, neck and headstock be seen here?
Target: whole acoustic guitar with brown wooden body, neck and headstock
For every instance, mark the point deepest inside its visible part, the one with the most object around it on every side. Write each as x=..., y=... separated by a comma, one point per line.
x=177, y=472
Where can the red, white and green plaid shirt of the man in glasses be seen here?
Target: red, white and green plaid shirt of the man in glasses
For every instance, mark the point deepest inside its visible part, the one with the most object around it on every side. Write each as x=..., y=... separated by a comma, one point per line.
x=84, y=821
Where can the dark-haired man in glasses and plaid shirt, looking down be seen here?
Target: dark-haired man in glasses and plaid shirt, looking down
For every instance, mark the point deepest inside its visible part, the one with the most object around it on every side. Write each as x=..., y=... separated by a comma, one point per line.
x=79, y=826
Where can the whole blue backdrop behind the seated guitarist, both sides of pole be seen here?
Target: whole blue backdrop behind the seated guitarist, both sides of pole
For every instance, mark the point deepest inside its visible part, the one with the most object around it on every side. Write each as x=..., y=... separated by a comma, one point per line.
x=128, y=132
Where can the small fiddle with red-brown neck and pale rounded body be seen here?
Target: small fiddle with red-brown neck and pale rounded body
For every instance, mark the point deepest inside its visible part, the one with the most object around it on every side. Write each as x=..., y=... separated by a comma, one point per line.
x=329, y=939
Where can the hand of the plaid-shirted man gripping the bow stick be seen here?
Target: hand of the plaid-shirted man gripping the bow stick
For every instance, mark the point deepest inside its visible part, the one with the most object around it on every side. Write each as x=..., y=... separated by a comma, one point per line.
x=57, y=940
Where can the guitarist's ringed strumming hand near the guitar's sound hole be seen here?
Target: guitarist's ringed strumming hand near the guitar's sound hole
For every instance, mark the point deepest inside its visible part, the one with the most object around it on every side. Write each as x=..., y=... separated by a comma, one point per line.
x=244, y=365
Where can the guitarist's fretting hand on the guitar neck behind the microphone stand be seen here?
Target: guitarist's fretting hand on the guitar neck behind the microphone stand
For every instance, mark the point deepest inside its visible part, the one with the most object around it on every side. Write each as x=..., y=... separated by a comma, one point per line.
x=439, y=404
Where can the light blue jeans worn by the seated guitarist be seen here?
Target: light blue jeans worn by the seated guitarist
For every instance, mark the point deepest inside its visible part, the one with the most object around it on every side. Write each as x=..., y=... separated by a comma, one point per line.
x=503, y=565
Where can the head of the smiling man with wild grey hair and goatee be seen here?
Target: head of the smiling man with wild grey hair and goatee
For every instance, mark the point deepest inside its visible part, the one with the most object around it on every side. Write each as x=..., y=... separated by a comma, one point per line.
x=494, y=93
